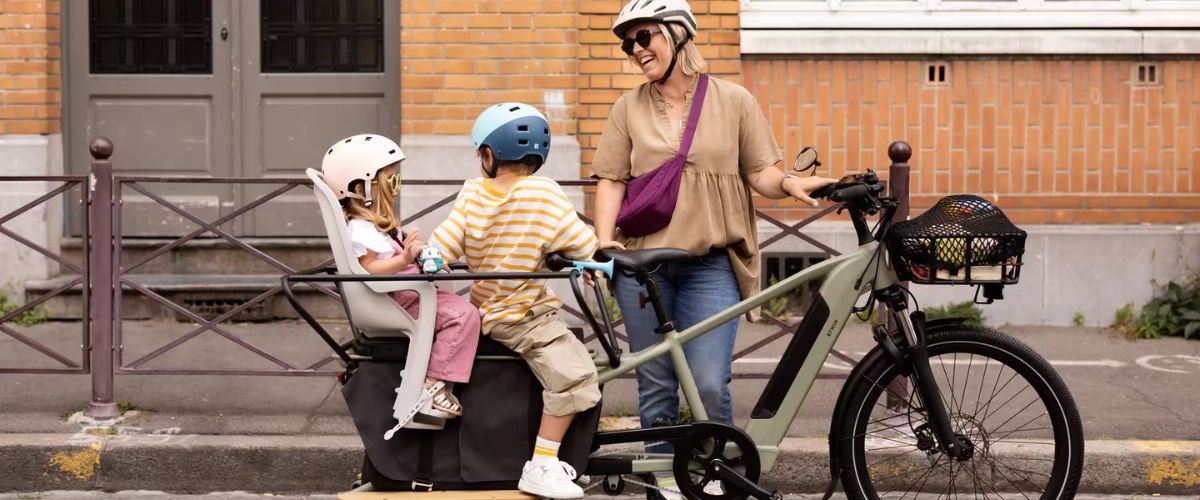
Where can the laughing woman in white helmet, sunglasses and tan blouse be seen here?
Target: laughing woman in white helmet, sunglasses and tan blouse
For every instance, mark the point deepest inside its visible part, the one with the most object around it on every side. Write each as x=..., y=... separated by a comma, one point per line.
x=731, y=154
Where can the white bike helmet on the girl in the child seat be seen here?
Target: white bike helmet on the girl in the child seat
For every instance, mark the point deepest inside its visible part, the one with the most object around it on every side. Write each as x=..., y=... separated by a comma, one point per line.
x=358, y=159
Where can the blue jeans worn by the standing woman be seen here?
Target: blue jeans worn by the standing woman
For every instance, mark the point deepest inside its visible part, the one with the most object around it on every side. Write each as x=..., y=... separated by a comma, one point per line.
x=692, y=291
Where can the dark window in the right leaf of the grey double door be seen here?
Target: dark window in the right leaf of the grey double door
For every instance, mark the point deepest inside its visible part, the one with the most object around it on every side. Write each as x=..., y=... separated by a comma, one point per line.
x=322, y=37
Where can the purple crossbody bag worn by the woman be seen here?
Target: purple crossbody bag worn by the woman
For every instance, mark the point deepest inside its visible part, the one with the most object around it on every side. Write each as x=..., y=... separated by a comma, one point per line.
x=651, y=200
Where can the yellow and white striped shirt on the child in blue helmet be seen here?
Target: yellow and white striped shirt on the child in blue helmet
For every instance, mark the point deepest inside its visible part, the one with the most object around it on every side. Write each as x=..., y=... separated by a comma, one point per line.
x=512, y=232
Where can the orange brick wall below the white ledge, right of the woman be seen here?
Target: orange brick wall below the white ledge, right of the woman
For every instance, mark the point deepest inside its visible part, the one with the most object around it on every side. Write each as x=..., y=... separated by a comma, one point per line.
x=1054, y=141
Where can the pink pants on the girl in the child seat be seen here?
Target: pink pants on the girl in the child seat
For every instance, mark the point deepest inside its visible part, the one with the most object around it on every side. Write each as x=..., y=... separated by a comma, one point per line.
x=457, y=338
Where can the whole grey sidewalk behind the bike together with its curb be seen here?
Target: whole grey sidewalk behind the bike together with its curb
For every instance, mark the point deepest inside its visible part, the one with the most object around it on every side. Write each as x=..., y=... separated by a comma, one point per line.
x=292, y=435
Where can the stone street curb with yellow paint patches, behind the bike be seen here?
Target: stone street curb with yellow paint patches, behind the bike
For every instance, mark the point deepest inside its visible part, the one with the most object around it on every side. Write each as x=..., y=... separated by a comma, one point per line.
x=184, y=463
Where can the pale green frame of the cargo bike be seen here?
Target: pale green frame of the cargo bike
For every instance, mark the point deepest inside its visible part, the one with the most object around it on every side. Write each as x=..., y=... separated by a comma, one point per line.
x=845, y=279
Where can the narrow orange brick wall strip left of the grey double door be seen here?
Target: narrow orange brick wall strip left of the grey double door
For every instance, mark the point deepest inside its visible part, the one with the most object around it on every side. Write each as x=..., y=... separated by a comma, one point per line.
x=31, y=99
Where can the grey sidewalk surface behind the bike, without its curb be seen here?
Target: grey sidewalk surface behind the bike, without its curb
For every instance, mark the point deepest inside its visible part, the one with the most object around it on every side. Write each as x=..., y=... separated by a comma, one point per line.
x=1125, y=390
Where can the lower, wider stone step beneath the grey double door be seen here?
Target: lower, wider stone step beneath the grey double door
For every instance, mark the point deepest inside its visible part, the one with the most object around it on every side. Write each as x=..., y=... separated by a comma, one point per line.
x=207, y=296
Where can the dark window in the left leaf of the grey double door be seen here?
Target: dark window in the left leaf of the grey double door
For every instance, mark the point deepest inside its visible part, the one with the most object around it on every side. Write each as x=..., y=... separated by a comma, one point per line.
x=151, y=37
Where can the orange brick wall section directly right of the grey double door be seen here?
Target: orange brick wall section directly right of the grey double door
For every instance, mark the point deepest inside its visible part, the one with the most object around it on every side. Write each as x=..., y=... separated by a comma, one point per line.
x=461, y=56
